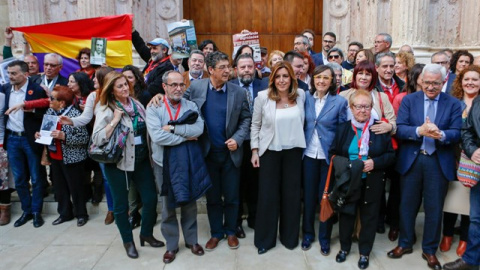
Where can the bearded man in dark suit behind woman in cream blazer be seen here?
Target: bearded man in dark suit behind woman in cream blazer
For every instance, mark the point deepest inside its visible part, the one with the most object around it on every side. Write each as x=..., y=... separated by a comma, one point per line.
x=245, y=68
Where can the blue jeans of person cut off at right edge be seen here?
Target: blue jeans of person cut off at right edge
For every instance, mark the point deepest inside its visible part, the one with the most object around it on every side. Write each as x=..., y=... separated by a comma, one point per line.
x=472, y=254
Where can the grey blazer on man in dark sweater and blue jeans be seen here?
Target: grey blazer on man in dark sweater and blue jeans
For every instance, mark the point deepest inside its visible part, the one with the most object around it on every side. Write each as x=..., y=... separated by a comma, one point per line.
x=238, y=115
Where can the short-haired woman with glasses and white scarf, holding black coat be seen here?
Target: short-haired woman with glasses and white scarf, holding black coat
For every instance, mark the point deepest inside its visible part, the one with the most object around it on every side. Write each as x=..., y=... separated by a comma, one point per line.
x=368, y=154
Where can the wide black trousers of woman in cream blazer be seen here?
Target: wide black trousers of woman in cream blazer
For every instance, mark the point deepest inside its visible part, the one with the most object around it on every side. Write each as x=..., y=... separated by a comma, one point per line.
x=279, y=195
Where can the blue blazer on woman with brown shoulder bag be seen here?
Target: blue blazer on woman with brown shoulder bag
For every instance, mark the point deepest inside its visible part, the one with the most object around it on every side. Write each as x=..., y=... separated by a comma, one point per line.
x=334, y=112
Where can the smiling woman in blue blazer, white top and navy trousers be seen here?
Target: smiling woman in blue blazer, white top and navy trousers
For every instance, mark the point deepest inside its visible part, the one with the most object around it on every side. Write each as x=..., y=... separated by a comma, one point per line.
x=324, y=111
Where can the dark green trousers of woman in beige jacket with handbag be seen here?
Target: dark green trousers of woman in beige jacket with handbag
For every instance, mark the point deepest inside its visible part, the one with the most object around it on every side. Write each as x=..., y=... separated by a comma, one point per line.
x=143, y=178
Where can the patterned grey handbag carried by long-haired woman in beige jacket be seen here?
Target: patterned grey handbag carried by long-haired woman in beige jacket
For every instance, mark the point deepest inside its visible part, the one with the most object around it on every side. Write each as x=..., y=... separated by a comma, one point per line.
x=112, y=151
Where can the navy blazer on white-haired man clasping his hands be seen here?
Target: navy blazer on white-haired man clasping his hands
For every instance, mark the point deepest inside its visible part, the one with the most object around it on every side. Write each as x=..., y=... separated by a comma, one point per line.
x=448, y=119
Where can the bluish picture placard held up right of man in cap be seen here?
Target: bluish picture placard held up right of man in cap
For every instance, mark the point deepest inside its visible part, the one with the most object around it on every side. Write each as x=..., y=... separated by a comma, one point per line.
x=182, y=38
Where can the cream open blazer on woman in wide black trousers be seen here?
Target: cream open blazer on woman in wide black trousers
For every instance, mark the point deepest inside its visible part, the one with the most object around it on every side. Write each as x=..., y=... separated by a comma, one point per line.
x=263, y=120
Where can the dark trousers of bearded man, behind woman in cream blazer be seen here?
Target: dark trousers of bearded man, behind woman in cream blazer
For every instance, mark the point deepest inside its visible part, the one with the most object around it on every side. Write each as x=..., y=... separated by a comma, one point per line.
x=248, y=187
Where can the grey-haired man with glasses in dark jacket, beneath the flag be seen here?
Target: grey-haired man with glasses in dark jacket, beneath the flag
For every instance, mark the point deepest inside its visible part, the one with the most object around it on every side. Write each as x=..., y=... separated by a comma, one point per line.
x=52, y=64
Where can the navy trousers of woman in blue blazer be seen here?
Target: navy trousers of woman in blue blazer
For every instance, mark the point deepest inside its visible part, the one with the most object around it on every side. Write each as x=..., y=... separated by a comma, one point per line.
x=314, y=179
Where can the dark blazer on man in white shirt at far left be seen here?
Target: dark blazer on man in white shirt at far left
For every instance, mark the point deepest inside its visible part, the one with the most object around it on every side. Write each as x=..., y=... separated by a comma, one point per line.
x=31, y=120
